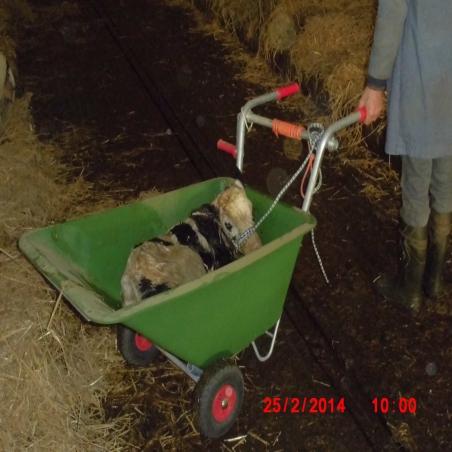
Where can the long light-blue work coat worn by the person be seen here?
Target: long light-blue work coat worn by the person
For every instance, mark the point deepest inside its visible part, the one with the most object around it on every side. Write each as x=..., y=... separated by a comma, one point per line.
x=412, y=52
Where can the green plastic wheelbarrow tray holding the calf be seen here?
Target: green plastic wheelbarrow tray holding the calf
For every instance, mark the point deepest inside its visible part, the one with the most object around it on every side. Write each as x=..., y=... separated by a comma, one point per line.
x=215, y=316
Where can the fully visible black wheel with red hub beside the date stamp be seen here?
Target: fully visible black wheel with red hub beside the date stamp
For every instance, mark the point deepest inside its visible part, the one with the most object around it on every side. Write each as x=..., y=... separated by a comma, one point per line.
x=217, y=399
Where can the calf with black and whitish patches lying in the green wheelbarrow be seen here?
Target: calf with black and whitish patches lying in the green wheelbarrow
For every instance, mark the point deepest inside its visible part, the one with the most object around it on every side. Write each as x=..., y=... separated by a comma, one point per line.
x=201, y=243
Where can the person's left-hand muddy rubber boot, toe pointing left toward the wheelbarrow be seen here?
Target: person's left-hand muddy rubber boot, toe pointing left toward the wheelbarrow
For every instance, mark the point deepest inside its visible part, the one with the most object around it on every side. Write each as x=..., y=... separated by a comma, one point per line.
x=405, y=288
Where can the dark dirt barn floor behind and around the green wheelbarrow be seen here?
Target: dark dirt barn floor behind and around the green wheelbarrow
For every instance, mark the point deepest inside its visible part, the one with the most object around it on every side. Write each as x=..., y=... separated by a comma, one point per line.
x=149, y=97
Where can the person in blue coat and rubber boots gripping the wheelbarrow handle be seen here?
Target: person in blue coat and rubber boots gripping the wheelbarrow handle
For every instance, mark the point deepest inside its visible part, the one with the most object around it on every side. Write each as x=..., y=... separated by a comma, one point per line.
x=411, y=57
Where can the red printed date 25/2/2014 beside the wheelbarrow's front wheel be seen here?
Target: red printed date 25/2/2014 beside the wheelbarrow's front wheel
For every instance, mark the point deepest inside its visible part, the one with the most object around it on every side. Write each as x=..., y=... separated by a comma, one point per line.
x=302, y=405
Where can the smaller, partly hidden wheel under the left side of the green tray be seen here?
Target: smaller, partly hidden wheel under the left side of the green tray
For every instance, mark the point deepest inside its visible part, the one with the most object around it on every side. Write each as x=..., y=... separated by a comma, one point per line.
x=135, y=349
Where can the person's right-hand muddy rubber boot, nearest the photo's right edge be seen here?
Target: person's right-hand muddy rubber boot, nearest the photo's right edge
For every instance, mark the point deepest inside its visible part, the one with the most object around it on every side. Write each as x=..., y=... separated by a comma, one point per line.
x=439, y=228
